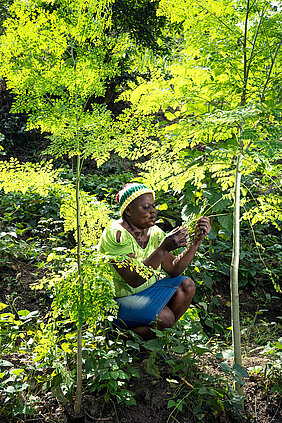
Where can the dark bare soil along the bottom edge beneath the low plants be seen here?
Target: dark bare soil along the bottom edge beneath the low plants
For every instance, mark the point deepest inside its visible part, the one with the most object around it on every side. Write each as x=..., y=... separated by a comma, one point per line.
x=152, y=396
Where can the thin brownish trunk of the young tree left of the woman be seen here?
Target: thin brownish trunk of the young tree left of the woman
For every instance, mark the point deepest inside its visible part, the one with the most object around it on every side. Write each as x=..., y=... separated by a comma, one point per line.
x=77, y=405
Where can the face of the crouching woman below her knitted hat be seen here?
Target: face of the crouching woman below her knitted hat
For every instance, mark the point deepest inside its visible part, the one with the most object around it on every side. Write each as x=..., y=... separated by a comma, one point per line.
x=142, y=212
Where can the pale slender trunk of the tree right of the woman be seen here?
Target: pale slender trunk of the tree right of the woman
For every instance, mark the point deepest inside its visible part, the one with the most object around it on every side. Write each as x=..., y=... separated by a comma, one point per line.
x=234, y=269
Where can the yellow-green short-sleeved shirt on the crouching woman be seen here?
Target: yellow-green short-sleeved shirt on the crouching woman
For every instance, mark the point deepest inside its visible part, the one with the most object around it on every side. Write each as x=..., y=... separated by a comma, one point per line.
x=128, y=245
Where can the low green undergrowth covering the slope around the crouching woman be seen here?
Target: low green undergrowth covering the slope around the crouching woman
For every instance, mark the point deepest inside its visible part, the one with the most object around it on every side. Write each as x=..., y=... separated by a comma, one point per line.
x=39, y=346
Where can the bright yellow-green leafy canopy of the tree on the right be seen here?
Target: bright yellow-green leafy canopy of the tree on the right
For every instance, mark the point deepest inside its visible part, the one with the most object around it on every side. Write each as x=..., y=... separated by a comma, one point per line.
x=220, y=96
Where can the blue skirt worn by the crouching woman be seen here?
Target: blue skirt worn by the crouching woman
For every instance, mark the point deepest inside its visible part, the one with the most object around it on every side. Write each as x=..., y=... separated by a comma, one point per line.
x=143, y=308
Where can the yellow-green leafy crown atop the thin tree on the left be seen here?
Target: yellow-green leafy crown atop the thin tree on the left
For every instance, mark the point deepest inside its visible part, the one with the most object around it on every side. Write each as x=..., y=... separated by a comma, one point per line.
x=56, y=57
